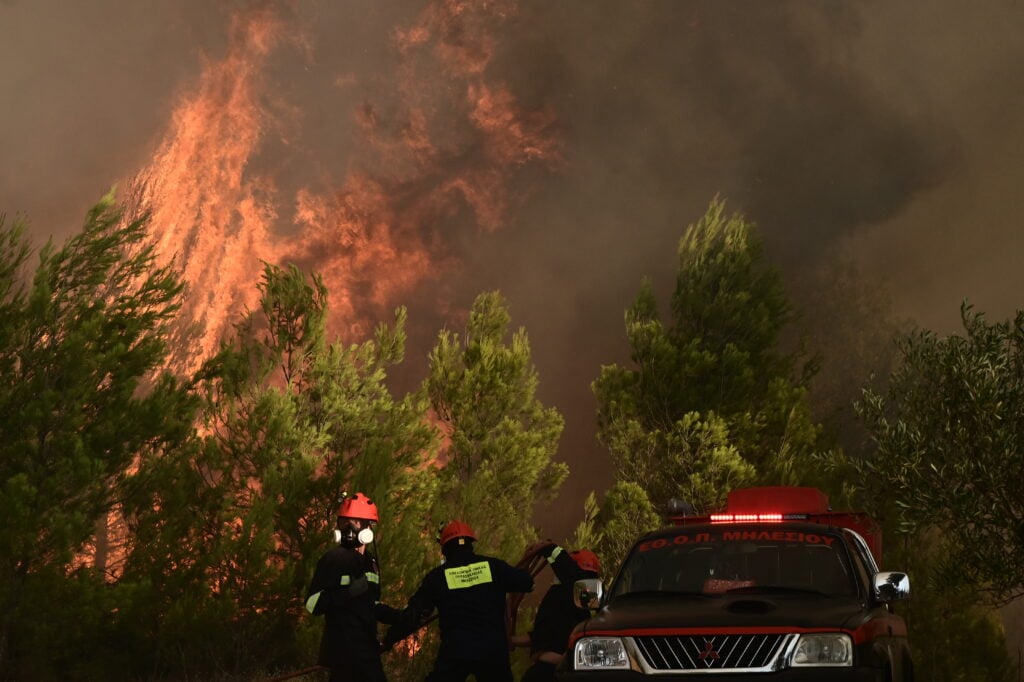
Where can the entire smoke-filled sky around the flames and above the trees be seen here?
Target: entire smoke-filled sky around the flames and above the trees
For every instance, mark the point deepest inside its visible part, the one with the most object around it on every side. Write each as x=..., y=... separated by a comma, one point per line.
x=892, y=134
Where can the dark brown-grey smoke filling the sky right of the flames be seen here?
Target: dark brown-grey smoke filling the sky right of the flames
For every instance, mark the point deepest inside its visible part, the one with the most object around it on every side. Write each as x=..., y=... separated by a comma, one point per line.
x=890, y=136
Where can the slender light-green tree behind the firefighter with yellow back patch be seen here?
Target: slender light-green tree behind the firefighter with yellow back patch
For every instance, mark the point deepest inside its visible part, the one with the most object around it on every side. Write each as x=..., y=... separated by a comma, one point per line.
x=500, y=439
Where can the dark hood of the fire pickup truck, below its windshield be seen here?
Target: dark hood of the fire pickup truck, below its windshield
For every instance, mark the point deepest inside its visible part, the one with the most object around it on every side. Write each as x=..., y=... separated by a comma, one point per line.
x=646, y=613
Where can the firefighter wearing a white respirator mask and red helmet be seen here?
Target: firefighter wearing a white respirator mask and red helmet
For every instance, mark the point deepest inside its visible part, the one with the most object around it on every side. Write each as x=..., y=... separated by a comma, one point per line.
x=346, y=590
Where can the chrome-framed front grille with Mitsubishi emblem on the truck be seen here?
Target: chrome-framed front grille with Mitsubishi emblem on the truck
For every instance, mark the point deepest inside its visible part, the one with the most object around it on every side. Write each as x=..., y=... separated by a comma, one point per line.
x=703, y=653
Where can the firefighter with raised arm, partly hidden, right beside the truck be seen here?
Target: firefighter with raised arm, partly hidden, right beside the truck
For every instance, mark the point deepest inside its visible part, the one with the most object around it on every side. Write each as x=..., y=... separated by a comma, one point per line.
x=558, y=615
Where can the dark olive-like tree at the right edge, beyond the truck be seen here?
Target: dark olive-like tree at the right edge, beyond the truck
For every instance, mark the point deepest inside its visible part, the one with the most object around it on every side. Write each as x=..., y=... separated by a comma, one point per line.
x=951, y=439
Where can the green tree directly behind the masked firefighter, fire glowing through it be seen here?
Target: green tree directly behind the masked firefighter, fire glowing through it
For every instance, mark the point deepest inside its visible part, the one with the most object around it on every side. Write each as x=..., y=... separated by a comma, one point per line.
x=291, y=422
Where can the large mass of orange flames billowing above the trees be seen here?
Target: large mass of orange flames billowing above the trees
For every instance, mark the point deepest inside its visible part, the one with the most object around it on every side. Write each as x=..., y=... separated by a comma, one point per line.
x=448, y=152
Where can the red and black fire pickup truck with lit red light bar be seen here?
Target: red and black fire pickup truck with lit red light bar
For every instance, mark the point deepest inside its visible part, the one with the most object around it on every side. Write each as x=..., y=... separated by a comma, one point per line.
x=777, y=588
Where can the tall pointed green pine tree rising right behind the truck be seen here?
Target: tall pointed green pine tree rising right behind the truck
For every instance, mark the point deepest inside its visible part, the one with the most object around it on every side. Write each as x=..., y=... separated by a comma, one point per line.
x=711, y=402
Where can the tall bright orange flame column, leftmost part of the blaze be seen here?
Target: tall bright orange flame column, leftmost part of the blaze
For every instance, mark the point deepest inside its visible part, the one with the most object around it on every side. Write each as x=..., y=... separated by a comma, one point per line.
x=206, y=212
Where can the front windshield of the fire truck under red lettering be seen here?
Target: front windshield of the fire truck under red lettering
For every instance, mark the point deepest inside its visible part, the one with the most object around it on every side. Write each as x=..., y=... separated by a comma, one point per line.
x=739, y=561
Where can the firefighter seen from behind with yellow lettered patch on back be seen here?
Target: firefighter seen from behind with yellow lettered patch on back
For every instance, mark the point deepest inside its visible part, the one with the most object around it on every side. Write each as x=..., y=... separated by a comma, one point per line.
x=468, y=591
